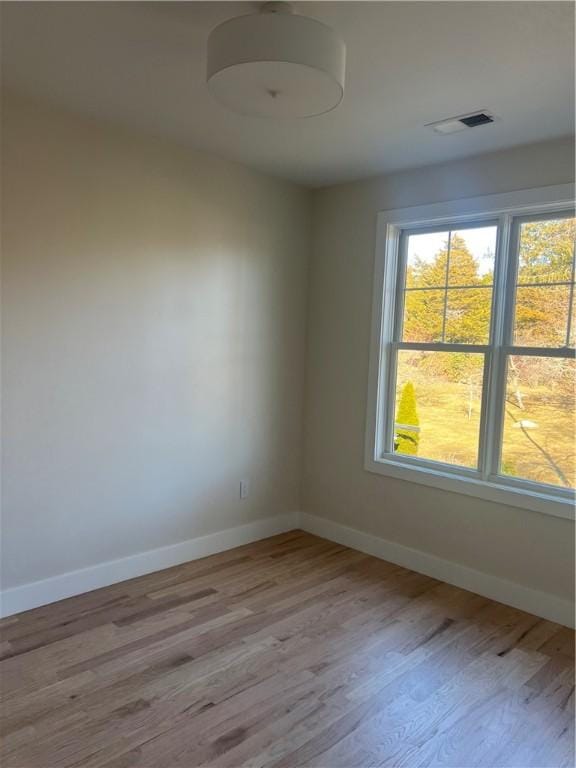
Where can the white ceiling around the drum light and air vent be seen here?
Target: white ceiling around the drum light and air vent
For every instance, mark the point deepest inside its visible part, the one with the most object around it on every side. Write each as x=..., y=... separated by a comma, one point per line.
x=409, y=63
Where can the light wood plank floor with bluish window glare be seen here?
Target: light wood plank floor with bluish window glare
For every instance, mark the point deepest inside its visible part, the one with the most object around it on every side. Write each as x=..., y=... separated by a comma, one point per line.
x=293, y=651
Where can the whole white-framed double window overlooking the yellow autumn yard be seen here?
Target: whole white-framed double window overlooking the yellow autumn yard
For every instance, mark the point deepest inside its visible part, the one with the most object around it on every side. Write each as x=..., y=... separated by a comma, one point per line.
x=473, y=361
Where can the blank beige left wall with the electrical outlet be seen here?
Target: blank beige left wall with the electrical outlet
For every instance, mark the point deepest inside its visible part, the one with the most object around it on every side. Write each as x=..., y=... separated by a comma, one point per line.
x=153, y=343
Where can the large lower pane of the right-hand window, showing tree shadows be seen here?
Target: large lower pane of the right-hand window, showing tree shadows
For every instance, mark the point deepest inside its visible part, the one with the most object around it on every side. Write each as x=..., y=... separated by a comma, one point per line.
x=539, y=435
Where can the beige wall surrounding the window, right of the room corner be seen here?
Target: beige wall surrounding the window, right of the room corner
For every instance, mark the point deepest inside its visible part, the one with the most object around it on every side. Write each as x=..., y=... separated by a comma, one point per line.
x=525, y=547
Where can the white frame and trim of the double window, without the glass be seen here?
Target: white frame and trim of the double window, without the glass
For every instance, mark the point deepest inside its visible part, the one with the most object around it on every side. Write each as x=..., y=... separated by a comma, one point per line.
x=505, y=209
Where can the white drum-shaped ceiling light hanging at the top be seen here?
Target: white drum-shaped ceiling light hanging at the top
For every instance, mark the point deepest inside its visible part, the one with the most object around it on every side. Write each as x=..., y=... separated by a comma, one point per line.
x=275, y=64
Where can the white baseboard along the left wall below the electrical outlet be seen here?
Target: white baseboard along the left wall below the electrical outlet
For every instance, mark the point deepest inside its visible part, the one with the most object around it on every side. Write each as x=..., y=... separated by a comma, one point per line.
x=18, y=599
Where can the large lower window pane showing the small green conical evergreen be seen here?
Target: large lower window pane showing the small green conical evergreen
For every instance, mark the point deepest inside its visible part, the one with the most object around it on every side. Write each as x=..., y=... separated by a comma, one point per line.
x=437, y=413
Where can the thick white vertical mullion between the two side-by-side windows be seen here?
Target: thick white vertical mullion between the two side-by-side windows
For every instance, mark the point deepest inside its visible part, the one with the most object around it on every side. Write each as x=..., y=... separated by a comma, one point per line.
x=495, y=373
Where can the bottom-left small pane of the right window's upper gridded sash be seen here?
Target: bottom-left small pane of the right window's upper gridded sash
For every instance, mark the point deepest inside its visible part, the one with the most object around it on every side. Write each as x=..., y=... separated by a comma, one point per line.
x=541, y=315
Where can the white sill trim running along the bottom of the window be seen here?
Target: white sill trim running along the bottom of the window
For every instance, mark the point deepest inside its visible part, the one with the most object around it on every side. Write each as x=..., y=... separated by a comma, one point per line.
x=500, y=493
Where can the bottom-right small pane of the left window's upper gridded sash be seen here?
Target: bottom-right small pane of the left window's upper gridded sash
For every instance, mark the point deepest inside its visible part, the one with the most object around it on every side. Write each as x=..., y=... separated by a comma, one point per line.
x=468, y=315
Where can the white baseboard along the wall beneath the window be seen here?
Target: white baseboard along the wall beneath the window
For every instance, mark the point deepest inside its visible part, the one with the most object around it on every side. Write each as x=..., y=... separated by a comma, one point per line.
x=533, y=601
